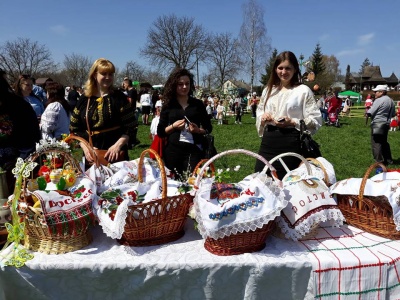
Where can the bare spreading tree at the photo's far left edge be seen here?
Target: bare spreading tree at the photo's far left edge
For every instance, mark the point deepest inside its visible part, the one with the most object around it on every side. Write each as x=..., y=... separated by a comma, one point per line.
x=23, y=56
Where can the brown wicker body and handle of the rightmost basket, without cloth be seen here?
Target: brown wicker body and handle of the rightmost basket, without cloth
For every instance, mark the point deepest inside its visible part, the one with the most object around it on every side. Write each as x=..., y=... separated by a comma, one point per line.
x=371, y=214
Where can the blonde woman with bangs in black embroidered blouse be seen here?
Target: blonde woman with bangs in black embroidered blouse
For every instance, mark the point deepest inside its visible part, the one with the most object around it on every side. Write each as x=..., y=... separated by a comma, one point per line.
x=110, y=116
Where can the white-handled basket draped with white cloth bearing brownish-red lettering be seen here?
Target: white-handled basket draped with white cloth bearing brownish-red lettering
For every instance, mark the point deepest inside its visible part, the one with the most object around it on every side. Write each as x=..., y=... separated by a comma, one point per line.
x=310, y=202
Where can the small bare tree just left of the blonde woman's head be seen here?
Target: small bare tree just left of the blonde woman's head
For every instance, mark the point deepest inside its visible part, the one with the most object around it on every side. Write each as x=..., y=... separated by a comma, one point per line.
x=76, y=68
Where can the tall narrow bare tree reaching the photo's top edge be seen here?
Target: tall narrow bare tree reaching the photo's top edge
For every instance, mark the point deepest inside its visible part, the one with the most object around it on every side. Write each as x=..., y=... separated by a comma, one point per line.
x=254, y=44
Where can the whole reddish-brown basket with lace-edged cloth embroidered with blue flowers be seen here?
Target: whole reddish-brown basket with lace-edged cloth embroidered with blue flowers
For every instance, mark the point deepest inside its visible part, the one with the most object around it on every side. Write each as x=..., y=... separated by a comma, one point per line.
x=237, y=218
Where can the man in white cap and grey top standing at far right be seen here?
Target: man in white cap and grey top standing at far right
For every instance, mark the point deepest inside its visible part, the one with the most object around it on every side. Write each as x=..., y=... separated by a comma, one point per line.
x=381, y=112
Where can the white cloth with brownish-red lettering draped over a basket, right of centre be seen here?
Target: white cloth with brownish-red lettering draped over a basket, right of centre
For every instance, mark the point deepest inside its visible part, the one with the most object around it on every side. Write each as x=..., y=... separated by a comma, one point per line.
x=310, y=204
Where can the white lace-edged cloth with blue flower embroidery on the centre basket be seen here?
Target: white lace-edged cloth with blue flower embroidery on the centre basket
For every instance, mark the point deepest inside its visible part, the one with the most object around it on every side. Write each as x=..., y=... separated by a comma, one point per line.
x=259, y=203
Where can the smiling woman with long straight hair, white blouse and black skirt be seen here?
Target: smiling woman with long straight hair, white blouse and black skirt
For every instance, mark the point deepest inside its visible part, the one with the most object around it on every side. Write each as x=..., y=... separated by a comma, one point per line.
x=284, y=102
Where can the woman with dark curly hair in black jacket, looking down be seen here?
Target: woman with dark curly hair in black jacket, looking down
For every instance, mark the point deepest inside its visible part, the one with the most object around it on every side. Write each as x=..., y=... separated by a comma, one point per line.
x=185, y=137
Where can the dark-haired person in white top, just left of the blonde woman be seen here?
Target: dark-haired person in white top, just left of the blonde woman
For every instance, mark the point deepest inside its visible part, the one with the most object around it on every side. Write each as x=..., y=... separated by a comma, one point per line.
x=55, y=119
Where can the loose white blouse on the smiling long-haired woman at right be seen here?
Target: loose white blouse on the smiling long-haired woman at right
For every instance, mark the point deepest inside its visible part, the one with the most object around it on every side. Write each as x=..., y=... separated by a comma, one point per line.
x=297, y=103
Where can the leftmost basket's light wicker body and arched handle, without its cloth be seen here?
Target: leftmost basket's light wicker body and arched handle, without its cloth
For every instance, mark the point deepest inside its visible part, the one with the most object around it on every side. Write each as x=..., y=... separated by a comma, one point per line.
x=38, y=236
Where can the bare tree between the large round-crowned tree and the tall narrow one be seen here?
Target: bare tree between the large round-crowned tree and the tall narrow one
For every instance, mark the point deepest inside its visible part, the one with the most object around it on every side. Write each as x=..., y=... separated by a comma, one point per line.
x=223, y=57
